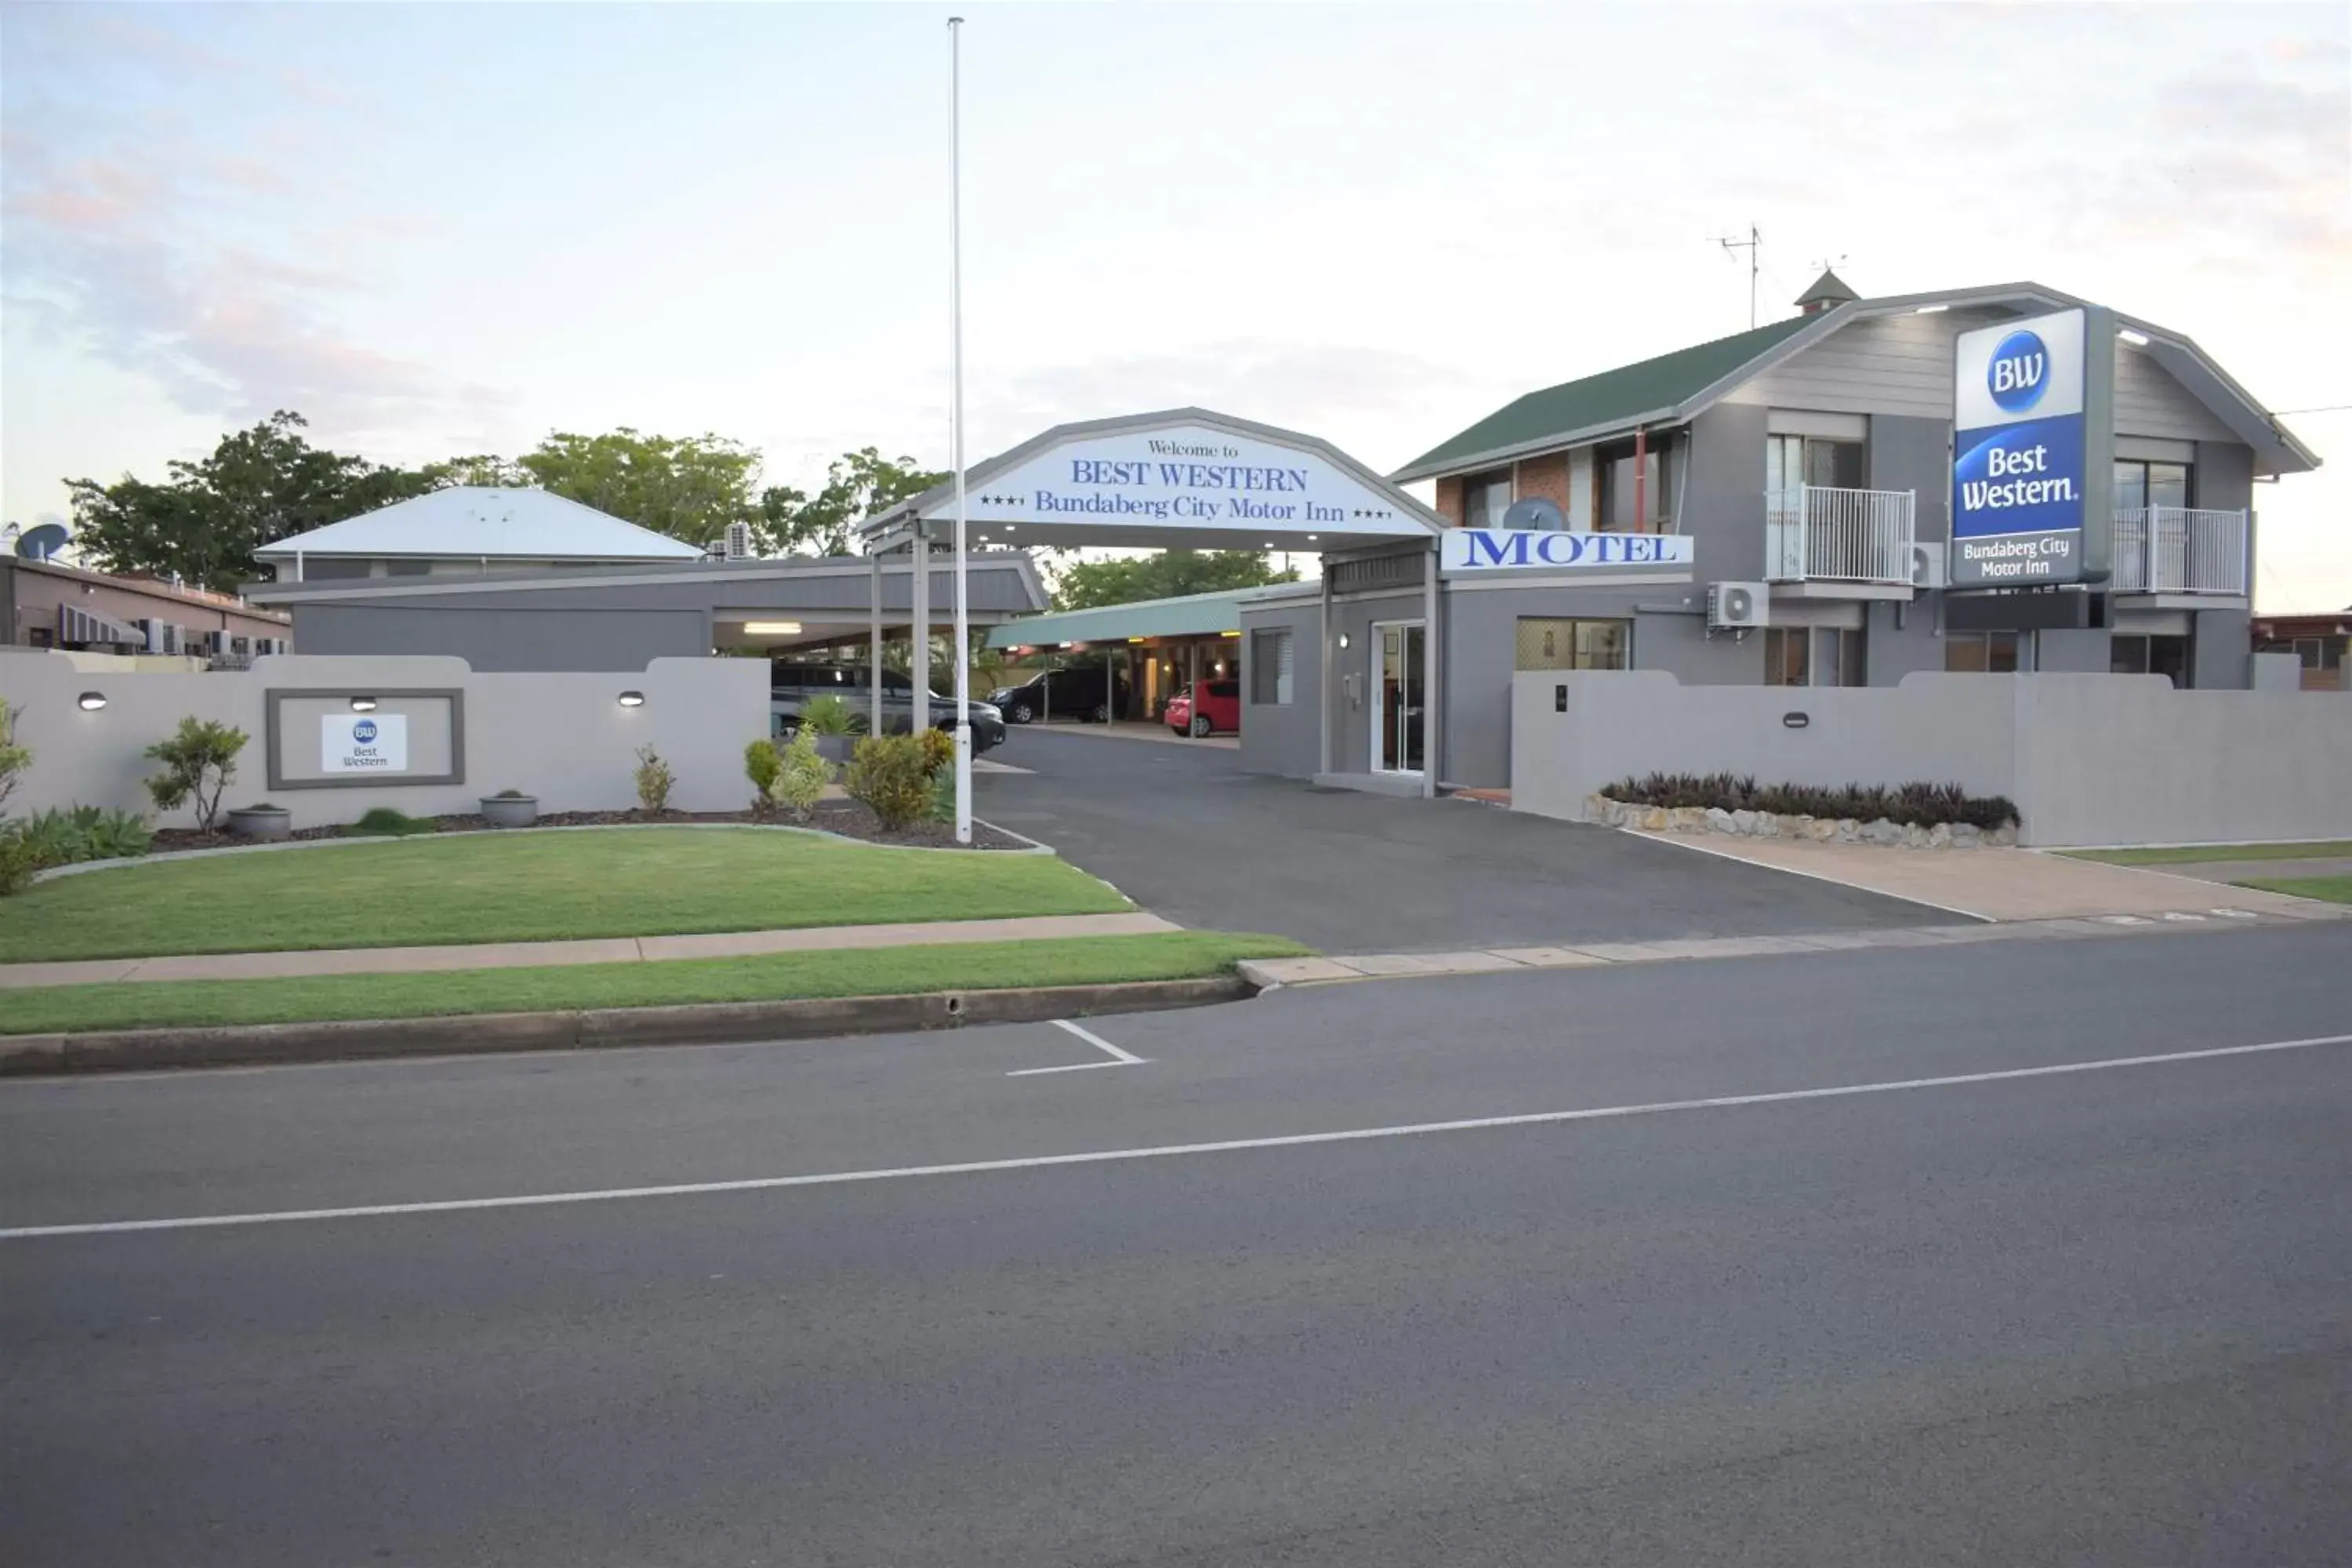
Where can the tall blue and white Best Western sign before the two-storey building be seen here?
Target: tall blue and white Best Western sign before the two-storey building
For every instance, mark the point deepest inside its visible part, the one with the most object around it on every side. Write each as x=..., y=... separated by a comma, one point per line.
x=2019, y=467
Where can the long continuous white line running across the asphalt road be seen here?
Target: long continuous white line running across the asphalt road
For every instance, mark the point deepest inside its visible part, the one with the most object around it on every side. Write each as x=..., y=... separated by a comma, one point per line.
x=1168, y=1151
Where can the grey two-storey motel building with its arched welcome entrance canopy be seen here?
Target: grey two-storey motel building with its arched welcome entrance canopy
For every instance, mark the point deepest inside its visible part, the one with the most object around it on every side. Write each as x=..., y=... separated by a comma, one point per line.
x=1975, y=481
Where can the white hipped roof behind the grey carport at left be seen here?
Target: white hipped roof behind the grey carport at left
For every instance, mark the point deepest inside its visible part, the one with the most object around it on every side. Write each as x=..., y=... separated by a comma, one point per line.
x=479, y=521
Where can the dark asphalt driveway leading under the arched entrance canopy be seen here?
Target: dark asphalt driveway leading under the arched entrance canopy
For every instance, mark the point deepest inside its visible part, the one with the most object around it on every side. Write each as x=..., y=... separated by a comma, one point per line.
x=1189, y=836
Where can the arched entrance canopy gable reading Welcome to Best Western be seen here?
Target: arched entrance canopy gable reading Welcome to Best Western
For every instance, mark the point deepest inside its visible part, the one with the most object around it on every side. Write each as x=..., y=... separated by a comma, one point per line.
x=1175, y=481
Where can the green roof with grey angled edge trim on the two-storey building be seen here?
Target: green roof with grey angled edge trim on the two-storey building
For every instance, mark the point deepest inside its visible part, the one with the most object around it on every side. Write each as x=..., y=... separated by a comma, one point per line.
x=1676, y=387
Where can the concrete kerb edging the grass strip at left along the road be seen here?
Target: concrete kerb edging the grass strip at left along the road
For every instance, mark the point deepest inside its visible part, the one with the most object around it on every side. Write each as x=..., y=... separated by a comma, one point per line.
x=596, y=1028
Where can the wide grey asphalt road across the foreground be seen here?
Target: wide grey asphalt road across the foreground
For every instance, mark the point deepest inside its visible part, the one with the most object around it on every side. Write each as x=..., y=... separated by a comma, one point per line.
x=2087, y=1318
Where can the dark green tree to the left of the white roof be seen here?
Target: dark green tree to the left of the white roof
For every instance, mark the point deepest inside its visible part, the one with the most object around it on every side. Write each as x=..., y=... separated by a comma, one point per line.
x=206, y=523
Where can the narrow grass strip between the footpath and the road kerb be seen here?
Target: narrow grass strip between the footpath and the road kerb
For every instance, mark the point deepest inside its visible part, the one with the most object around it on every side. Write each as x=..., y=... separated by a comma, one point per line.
x=526, y=991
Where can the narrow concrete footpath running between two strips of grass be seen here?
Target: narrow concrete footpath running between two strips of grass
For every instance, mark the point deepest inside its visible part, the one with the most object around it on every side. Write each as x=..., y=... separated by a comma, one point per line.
x=594, y=951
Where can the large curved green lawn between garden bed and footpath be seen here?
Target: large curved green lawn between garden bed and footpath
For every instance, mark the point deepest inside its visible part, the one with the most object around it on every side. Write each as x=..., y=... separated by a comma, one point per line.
x=528, y=887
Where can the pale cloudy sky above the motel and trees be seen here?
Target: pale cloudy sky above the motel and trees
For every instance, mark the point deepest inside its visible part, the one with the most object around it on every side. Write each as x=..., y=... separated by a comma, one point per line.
x=455, y=229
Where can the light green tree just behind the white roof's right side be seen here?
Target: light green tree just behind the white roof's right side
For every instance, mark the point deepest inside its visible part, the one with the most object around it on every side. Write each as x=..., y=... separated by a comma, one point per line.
x=686, y=488
